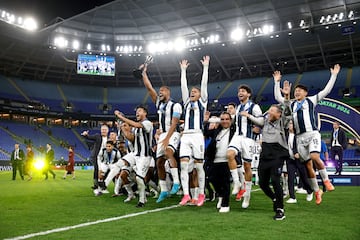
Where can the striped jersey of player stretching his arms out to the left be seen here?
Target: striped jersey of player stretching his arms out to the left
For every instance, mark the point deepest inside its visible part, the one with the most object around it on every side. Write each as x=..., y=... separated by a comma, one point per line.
x=143, y=139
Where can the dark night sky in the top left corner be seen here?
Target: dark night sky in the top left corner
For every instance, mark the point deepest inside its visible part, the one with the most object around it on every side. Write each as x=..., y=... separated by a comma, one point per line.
x=47, y=10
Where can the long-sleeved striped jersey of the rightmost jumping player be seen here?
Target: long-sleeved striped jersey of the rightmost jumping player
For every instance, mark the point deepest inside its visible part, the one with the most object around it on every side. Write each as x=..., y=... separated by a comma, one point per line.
x=303, y=112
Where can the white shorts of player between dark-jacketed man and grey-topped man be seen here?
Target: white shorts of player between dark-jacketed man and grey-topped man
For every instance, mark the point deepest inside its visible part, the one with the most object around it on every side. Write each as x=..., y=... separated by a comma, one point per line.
x=246, y=146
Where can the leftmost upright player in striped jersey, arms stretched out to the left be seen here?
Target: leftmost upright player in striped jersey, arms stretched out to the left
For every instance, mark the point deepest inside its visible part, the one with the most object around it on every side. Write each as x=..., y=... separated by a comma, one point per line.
x=142, y=147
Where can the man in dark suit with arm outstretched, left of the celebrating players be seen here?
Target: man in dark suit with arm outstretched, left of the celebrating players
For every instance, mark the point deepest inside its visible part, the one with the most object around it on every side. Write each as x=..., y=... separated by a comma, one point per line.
x=99, y=143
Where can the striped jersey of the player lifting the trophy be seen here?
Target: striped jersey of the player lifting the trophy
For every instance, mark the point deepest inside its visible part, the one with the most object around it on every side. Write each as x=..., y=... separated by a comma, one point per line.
x=166, y=112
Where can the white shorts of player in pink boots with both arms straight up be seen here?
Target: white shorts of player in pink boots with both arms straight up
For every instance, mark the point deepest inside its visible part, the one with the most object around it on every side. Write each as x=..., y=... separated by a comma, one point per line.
x=192, y=145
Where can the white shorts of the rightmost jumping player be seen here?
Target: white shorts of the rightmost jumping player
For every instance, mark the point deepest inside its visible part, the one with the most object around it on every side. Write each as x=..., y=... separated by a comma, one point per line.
x=307, y=143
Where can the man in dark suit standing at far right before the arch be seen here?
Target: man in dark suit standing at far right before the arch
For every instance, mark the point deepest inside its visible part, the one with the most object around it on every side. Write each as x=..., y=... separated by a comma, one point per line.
x=338, y=145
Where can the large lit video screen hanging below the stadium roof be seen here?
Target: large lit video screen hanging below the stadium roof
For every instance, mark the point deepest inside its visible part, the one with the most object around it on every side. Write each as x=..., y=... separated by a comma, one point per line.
x=96, y=65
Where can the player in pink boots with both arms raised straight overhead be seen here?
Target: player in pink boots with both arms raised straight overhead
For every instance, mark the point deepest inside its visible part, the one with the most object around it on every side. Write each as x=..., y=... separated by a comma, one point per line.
x=192, y=140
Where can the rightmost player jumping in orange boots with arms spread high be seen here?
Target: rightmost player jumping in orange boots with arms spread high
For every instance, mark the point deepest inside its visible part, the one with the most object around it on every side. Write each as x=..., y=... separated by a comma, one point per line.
x=308, y=137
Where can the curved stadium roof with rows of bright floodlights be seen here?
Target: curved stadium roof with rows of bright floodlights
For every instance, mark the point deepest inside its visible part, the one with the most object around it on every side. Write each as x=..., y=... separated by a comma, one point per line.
x=292, y=36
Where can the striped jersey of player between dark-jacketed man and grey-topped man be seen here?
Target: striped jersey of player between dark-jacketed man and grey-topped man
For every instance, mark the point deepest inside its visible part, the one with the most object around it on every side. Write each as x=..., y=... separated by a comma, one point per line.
x=243, y=124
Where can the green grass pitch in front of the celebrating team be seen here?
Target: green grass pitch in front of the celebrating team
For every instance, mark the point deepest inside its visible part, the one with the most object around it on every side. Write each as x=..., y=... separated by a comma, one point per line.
x=36, y=206
